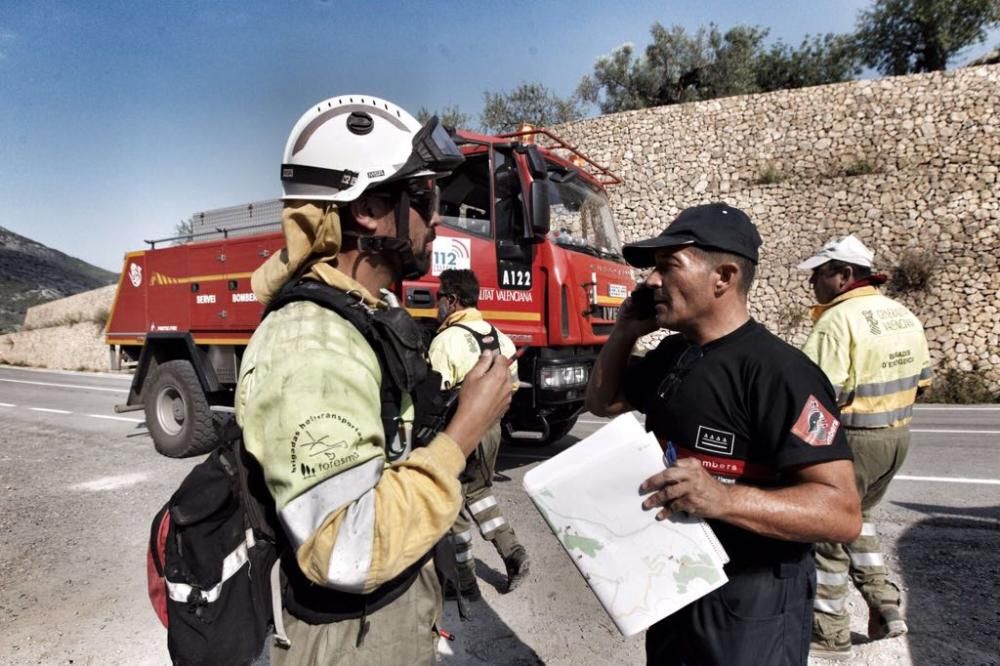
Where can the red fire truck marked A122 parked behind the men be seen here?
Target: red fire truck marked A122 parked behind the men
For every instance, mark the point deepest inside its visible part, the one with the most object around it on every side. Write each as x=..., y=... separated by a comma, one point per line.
x=526, y=211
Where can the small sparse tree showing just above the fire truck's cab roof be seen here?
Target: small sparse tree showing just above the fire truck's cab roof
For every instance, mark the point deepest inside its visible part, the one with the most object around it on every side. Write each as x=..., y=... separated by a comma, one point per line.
x=527, y=103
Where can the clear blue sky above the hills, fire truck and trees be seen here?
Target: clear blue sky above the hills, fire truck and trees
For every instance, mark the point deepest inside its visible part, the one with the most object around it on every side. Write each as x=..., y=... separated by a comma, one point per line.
x=118, y=119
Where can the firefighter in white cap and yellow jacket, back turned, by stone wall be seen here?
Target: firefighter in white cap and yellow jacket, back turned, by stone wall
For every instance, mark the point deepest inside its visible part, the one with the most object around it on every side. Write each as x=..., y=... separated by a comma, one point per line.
x=874, y=351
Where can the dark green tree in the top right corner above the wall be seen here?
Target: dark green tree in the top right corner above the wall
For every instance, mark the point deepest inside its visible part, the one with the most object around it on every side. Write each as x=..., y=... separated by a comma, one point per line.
x=907, y=36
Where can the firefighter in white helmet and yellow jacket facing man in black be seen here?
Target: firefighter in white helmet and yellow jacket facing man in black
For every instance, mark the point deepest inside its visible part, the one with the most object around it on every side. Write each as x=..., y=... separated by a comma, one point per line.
x=359, y=510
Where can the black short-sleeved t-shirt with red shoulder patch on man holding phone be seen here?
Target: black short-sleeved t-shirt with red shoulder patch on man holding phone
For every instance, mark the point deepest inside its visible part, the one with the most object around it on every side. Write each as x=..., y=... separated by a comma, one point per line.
x=750, y=407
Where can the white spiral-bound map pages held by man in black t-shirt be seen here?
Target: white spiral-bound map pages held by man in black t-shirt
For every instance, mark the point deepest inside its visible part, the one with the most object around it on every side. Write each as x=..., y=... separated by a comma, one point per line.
x=640, y=569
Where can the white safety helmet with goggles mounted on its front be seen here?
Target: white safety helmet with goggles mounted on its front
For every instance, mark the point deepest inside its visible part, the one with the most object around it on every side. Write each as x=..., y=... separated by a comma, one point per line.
x=348, y=144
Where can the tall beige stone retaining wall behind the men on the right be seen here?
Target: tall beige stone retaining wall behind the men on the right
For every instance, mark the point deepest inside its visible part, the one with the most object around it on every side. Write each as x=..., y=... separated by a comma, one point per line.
x=908, y=164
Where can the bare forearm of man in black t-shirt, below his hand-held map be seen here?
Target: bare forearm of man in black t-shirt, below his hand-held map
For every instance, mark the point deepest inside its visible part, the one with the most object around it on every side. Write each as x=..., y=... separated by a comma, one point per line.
x=807, y=512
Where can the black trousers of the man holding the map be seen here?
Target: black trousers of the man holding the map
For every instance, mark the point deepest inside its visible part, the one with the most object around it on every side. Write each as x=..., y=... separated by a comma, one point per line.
x=761, y=616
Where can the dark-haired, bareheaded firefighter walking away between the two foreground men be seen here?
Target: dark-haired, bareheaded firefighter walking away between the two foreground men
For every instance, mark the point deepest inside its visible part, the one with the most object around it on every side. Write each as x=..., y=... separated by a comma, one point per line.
x=453, y=352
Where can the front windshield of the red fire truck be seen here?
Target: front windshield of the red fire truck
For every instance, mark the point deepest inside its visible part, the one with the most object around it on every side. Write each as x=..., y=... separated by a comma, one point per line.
x=581, y=217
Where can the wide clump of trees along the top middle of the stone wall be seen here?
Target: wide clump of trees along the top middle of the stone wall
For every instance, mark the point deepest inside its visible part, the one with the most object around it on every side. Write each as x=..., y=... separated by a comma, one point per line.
x=681, y=67
